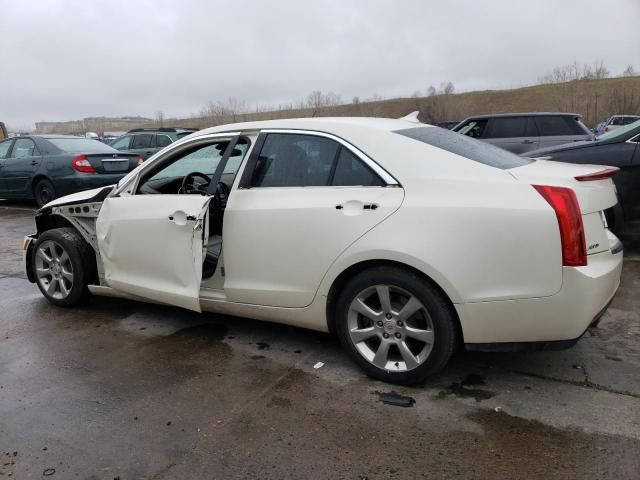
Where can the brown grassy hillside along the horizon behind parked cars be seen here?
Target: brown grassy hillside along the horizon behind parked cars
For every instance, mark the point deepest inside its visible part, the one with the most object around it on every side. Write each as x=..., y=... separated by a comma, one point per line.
x=593, y=99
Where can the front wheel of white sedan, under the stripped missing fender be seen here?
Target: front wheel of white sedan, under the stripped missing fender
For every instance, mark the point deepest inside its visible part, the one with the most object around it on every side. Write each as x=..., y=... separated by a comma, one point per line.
x=80, y=261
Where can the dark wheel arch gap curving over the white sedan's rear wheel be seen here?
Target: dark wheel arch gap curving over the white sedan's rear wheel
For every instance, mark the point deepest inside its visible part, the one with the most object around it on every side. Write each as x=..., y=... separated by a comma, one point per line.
x=351, y=271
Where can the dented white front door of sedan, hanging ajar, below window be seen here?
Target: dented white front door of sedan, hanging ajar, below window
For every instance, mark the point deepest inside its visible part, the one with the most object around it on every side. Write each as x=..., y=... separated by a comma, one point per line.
x=151, y=246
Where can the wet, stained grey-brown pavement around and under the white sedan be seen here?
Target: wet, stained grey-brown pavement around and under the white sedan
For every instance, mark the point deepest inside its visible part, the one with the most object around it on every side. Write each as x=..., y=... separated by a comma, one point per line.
x=125, y=390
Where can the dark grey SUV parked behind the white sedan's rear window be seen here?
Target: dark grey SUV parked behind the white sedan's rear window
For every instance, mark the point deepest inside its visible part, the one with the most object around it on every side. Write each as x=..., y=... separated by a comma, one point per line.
x=521, y=132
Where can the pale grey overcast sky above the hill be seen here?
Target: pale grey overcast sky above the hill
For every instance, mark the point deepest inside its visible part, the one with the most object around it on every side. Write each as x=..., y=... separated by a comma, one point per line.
x=67, y=59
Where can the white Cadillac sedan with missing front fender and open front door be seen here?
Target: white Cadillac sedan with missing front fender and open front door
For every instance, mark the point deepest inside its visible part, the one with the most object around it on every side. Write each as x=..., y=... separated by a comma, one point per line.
x=405, y=240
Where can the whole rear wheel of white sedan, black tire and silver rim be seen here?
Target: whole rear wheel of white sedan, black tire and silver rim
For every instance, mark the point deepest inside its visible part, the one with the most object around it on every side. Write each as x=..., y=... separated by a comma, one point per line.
x=396, y=325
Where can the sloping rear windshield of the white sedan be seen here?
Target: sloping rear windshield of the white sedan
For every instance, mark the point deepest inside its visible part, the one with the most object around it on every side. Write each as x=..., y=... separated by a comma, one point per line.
x=465, y=146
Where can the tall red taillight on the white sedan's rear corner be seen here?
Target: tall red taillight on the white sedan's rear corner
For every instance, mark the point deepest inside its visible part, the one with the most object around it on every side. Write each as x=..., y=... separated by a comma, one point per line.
x=564, y=202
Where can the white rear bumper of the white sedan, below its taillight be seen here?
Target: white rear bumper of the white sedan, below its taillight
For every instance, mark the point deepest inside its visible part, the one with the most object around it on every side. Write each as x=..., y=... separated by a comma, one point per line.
x=585, y=294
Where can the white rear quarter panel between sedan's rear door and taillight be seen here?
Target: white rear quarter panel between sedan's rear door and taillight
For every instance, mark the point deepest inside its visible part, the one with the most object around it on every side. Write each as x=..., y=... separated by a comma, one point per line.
x=479, y=241
